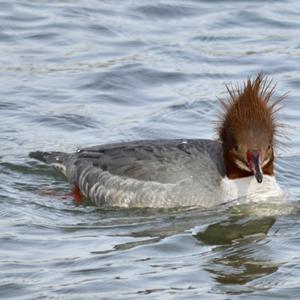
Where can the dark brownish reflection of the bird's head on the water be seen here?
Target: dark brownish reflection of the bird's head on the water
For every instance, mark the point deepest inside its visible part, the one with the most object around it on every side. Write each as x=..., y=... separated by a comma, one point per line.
x=235, y=259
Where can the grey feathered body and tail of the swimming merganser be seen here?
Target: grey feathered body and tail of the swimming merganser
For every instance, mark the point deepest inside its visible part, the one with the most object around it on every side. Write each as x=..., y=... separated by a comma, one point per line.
x=162, y=173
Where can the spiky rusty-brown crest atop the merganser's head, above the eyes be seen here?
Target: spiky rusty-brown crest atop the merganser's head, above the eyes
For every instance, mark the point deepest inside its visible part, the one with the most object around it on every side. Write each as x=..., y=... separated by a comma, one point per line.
x=250, y=106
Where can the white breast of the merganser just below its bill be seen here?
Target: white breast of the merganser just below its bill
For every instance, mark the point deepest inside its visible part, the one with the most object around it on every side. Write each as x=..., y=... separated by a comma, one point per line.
x=249, y=189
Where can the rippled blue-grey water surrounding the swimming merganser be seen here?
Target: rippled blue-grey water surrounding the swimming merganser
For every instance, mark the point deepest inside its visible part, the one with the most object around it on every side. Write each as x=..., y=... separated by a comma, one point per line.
x=80, y=73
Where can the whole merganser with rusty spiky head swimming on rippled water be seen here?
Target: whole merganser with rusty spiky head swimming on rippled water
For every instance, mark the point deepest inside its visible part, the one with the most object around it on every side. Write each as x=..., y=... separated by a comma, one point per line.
x=185, y=172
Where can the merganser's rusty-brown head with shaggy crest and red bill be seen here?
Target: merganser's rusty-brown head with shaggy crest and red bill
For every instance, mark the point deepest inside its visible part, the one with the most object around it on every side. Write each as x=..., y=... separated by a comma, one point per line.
x=248, y=128
